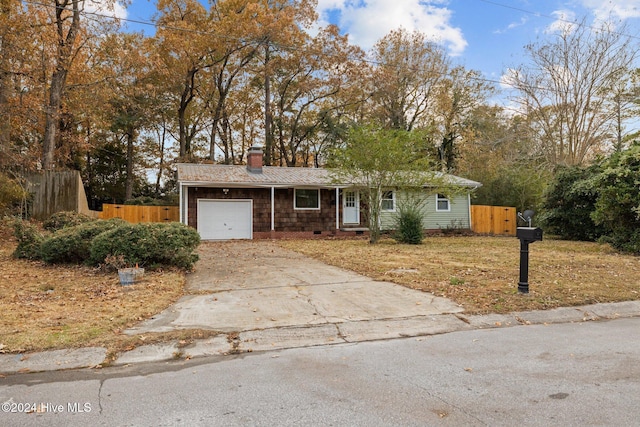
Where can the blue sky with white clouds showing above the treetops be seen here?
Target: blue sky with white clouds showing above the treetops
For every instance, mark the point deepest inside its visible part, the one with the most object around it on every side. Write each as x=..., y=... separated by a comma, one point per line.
x=484, y=35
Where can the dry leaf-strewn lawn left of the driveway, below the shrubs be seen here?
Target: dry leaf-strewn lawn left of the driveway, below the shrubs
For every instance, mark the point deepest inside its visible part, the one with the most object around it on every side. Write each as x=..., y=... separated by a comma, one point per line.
x=50, y=307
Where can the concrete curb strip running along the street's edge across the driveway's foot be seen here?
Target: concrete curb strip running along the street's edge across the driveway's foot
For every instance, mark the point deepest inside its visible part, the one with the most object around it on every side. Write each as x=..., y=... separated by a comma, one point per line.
x=312, y=335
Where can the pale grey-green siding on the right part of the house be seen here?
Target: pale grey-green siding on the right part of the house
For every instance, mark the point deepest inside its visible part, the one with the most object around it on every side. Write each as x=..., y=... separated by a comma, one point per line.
x=457, y=217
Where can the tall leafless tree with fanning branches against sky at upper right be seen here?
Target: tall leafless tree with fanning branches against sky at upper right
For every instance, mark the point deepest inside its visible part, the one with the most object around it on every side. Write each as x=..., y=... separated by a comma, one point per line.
x=567, y=89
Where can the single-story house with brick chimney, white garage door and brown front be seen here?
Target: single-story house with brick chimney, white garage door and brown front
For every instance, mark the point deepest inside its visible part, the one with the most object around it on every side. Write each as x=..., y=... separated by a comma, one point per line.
x=246, y=202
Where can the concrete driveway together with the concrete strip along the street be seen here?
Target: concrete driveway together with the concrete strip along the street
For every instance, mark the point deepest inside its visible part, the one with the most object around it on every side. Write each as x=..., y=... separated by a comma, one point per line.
x=261, y=297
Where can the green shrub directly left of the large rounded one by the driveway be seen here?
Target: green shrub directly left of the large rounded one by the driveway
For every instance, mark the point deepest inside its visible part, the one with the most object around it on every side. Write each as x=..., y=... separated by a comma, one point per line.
x=73, y=244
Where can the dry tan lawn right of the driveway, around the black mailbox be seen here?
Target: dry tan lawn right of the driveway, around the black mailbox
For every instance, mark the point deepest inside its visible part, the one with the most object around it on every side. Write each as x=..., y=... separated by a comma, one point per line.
x=482, y=273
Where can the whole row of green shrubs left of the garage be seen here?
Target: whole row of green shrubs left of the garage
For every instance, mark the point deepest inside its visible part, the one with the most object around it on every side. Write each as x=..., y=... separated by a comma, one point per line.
x=93, y=242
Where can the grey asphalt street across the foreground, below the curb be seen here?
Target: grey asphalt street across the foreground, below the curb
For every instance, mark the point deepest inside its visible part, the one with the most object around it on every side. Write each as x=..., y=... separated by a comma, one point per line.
x=566, y=374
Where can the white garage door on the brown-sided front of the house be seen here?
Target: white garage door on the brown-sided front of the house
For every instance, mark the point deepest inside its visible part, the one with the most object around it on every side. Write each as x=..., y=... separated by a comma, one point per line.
x=225, y=219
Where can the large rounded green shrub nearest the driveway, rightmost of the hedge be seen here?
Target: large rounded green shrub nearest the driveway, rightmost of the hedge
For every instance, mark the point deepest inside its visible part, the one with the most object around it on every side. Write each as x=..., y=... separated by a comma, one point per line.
x=149, y=245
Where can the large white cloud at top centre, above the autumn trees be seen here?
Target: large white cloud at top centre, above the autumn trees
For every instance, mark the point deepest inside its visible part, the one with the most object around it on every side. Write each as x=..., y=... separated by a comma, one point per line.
x=367, y=21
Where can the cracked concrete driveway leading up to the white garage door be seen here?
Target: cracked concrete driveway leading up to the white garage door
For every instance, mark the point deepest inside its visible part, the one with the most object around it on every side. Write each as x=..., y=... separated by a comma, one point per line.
x=255, y=285
